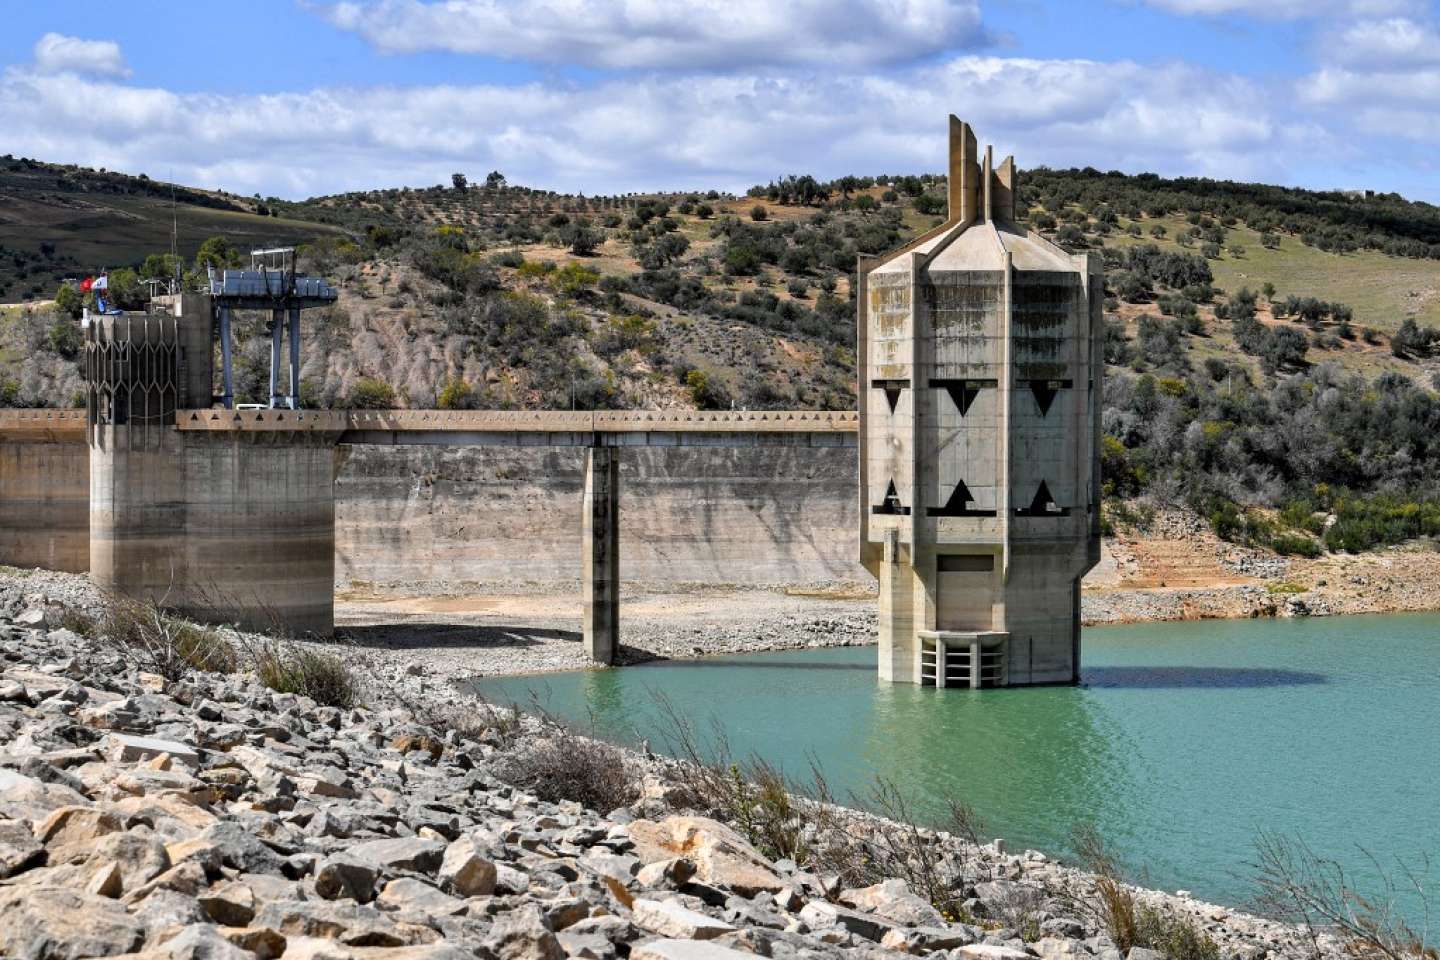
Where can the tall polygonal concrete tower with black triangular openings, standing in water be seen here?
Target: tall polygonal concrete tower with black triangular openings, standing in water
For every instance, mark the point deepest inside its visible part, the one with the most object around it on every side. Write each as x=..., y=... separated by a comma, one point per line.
x=981, y=358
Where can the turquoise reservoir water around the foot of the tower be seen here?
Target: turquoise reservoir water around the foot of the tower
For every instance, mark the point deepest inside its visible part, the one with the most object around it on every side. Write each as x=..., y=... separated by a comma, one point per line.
x=1184, y=742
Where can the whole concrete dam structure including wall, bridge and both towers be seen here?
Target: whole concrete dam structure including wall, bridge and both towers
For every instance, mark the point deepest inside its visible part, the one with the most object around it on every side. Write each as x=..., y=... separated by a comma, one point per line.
x=973, y=451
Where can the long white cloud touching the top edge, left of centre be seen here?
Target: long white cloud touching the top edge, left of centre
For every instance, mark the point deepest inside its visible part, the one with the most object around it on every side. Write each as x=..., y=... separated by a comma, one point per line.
x=698, y=35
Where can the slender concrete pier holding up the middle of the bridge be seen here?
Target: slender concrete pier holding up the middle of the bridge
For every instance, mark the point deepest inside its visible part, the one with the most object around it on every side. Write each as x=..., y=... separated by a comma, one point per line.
x=601, y=555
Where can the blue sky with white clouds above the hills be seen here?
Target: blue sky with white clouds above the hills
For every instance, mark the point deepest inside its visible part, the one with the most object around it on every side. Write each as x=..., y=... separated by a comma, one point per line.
x=297, y=99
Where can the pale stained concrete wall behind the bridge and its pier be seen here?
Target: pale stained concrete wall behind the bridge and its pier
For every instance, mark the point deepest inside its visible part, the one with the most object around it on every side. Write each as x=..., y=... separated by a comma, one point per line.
x=433, y=519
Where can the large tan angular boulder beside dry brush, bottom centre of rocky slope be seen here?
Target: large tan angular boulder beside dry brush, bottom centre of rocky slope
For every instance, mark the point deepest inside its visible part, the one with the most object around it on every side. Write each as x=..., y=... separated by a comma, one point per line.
x=722, y=857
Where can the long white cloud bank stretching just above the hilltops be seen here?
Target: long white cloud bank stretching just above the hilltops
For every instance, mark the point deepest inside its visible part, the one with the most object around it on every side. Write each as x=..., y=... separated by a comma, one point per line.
x=662, y=132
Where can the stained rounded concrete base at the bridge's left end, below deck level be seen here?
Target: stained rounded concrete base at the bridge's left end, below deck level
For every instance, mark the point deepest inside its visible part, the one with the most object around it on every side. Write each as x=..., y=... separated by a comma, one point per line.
x=227, y=527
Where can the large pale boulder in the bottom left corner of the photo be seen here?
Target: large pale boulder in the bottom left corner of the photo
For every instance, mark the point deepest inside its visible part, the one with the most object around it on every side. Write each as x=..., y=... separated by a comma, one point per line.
x=57, y=923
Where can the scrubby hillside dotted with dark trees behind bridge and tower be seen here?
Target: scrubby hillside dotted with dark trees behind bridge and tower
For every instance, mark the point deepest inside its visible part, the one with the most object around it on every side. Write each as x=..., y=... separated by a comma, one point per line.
x=1272, y=352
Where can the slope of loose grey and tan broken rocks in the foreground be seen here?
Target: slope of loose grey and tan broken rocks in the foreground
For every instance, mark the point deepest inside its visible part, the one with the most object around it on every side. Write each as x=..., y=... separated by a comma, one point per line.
x=212, y=818
